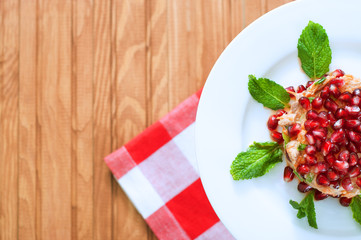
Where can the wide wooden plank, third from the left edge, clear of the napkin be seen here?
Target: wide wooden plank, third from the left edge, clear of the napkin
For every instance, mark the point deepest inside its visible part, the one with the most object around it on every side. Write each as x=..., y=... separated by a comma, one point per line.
x=54, y=113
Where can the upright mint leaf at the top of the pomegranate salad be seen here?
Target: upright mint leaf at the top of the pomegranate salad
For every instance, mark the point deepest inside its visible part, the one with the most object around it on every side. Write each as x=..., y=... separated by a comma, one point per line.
x=314, y=50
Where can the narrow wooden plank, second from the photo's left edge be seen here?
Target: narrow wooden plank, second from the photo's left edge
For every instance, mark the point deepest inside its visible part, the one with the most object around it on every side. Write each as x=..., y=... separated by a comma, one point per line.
x=27, y=121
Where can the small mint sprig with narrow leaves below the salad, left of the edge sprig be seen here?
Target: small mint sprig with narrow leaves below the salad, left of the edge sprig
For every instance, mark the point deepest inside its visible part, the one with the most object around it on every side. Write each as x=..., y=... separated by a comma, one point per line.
x=306, y=208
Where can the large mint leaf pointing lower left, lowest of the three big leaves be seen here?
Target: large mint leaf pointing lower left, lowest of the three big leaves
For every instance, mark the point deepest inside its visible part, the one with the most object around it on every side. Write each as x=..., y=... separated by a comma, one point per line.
x=256, y=161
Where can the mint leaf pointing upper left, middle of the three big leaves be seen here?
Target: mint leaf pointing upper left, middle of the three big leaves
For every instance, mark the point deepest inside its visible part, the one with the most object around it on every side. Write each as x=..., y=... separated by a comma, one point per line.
x=267, y=92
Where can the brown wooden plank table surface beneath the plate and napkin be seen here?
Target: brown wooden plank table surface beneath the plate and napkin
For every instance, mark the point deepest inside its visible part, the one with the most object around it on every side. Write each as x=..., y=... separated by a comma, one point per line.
x=78, y=79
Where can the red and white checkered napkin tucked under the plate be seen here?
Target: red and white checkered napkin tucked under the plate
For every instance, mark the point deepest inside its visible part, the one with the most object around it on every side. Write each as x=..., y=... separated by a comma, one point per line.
x=158, y=172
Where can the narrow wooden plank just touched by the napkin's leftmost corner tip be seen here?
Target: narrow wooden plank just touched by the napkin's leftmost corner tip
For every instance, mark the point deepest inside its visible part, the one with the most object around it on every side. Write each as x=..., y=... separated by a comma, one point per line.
x=102, y=120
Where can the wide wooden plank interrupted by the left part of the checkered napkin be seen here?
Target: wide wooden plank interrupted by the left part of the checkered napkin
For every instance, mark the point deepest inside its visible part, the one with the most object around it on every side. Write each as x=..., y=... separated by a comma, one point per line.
x=129, y=114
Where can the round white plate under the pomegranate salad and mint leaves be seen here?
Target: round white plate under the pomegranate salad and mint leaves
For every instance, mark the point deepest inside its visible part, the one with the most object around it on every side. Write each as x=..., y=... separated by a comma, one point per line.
x=229, y=120
